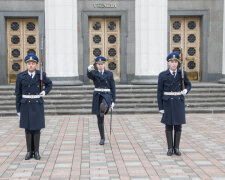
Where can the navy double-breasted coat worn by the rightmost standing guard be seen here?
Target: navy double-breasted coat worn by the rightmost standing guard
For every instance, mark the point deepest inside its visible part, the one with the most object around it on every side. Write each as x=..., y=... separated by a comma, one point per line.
x=173, y=106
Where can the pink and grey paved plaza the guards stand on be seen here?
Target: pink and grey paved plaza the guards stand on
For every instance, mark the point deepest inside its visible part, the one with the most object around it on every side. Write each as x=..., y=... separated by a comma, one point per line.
x=135, y=150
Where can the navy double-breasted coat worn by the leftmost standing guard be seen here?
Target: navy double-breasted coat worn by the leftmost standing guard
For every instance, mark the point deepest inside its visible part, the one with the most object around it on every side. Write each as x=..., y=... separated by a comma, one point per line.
x=31, y=110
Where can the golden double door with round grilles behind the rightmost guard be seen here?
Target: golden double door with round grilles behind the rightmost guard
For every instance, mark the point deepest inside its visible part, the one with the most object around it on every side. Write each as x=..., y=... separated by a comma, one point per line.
x=187, y=31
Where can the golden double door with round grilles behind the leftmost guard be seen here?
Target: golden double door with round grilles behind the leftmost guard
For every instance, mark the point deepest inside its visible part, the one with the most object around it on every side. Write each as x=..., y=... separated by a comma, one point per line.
x=22, y=39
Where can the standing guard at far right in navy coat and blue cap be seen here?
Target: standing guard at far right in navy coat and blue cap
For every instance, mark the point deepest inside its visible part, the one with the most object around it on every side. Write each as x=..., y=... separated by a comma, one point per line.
x=171, y=102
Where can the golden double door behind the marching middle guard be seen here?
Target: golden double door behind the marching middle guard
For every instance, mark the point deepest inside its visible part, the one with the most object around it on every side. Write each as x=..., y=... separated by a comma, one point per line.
x=104, y=40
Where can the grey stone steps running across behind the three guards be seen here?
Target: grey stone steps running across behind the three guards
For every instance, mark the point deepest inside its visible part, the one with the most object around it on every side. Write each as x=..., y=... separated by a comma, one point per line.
x=131, y=99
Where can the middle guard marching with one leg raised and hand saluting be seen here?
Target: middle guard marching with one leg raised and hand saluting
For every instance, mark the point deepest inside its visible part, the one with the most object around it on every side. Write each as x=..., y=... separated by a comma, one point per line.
x=104, y=95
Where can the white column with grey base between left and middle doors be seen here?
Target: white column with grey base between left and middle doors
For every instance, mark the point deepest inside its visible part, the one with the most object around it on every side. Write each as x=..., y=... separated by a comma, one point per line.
x=61, y=56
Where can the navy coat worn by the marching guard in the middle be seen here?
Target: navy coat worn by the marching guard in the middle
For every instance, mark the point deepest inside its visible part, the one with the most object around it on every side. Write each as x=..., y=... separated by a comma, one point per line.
x=105, y=81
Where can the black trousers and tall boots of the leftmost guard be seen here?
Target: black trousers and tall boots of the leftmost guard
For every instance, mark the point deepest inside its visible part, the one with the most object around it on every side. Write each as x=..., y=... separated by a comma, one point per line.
x=33, y=141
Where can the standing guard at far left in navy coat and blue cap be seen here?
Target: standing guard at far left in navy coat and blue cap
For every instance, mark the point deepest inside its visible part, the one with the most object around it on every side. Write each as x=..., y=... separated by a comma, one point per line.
x=30, y=104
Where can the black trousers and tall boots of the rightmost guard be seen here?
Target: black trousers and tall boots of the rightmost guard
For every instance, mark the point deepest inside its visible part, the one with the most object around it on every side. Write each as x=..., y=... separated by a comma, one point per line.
x=173, y=144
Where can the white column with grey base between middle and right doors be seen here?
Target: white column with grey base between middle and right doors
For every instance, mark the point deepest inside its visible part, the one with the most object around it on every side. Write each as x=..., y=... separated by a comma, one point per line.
x=150, y=39
